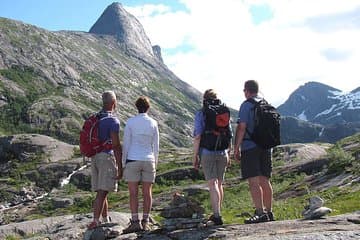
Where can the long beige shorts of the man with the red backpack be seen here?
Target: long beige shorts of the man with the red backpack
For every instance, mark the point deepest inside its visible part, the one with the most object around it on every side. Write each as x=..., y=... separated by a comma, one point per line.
x=103, y=172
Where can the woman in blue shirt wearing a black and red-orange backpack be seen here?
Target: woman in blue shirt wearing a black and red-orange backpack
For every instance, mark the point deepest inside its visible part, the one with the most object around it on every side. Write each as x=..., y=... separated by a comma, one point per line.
x=214, y=159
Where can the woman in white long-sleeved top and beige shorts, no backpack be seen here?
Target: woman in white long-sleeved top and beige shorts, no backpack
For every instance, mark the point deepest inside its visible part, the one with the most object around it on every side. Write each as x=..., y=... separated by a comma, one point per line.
x=140, y=156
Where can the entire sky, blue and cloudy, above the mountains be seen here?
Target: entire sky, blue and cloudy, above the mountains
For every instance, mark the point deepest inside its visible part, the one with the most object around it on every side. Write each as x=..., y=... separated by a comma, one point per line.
x=282, y=44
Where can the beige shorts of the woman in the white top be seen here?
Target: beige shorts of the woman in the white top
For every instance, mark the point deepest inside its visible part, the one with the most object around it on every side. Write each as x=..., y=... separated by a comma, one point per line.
x=140, y=171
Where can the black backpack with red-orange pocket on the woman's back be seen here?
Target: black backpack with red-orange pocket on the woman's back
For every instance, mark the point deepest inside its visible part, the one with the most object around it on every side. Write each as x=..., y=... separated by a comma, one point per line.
x=217, y=134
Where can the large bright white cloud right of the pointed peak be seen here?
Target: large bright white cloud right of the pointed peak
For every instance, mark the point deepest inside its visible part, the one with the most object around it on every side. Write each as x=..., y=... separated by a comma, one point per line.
x=228, y=48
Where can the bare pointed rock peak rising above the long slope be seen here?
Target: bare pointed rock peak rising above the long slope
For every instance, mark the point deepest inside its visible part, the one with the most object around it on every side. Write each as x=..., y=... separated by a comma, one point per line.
x=117, y=22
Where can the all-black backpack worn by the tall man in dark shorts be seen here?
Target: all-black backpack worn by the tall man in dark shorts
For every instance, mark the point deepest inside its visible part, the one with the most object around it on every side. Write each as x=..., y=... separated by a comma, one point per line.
x=266, y=132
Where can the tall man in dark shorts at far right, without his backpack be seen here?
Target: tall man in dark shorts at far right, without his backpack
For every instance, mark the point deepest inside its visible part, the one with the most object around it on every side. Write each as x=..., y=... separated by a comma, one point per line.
x=255, y=160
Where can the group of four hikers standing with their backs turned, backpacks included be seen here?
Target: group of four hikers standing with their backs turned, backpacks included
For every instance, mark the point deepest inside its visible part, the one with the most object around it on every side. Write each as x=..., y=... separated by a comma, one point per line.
x=257, y=131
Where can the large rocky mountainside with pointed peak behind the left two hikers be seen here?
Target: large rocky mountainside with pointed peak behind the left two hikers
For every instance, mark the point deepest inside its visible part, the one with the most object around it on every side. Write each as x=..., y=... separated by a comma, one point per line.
x=49, y=81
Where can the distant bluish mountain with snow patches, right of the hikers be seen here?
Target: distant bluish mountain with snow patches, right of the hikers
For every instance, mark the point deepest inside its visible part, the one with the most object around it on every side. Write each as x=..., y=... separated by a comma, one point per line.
x=317, y=112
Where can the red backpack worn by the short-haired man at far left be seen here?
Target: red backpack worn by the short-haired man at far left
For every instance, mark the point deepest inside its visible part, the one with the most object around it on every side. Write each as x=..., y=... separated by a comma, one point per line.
x=90, y=143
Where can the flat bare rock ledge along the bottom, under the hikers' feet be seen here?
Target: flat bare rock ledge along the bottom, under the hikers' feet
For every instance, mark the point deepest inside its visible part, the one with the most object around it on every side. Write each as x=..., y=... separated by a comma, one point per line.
x=74, y=227
